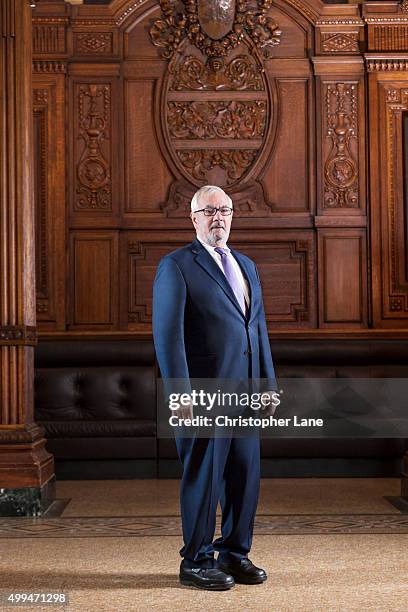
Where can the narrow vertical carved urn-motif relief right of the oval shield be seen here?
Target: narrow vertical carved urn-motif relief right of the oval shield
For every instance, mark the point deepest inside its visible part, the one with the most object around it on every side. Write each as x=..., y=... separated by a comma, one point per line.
x=341, y=165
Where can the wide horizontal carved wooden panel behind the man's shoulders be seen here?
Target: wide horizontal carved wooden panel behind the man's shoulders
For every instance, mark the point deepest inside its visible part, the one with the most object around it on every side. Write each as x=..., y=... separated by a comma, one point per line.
x=285, y=261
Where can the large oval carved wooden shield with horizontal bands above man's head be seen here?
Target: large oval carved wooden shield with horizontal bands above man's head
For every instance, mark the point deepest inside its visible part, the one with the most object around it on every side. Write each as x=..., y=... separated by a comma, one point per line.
x=238, y=129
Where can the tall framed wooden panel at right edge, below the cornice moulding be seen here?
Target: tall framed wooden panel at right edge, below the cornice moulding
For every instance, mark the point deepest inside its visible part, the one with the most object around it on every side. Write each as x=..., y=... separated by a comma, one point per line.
x=389, y=211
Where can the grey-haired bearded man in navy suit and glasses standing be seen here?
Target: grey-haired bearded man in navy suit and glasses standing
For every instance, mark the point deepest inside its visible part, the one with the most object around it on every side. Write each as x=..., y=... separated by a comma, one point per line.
x=209, y=322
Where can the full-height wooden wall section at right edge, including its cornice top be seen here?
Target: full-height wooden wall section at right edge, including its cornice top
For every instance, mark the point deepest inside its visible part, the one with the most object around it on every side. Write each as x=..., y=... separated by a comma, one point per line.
x=387, y=65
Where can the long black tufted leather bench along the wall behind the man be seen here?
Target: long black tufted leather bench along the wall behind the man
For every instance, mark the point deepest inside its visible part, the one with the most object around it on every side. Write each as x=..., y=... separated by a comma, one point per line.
x=96, y=400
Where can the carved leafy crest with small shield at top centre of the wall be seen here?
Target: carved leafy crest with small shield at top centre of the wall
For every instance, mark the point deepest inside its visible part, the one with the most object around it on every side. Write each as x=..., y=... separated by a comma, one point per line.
x=212, y=27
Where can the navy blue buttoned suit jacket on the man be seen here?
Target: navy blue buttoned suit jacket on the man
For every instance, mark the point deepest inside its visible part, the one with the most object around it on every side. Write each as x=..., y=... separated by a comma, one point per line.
x=199, y=329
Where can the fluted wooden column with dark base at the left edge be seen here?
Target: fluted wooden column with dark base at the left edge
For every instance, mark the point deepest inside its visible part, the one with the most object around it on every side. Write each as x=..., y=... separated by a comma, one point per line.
x=27, y=481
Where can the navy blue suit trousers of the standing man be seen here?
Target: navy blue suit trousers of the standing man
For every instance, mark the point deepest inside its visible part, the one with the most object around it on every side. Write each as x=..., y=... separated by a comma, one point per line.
x=223, y=469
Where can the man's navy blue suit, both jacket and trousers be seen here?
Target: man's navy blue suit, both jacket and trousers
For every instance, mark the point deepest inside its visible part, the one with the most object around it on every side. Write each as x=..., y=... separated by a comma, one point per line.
x=200, y=331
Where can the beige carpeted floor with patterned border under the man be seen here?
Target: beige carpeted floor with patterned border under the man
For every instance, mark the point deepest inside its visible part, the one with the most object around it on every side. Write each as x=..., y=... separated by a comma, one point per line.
x=327, y=544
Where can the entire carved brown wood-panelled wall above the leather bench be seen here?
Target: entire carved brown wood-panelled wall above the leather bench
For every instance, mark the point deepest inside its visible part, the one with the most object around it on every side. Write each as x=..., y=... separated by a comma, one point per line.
x=268, y=101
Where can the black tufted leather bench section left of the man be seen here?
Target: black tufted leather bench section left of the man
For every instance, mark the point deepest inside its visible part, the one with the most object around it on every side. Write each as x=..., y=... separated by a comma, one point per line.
x=96, y=400
